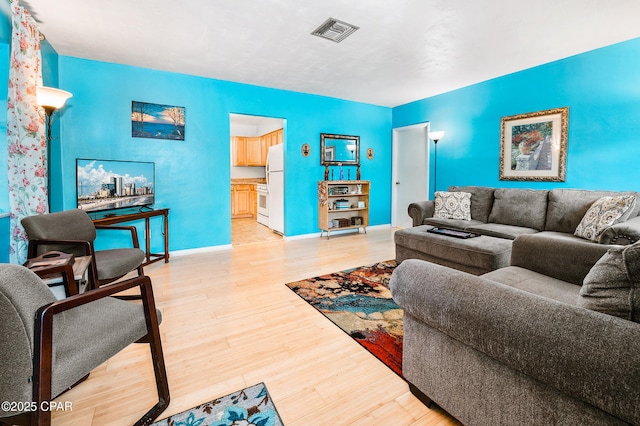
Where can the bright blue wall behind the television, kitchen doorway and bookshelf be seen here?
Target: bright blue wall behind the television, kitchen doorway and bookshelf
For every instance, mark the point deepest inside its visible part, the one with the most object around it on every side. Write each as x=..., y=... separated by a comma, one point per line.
x=193, y=176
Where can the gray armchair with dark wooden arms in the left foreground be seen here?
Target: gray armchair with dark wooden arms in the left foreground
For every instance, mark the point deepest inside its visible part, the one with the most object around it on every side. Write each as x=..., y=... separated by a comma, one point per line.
x=49, y=346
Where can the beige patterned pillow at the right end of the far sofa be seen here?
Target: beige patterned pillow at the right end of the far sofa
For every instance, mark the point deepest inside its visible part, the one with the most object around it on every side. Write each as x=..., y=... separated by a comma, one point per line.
x=603, y=213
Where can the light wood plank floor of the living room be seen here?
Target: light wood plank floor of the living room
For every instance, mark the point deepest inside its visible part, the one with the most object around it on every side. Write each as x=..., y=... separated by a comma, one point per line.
x=230, y=322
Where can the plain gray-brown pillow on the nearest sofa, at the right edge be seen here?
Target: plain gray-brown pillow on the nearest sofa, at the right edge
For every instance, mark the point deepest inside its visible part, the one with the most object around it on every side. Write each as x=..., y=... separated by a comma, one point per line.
x=612, y=286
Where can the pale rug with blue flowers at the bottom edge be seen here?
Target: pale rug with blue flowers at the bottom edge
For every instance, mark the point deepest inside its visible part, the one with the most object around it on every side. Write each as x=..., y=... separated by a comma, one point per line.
x=249, y=407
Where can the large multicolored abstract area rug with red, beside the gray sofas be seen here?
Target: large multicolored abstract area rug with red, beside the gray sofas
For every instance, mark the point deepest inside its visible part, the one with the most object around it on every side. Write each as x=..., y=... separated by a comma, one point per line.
x=359, y=302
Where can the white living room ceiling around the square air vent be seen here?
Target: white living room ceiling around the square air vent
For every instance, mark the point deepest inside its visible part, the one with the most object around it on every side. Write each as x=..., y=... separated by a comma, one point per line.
x=404, y=50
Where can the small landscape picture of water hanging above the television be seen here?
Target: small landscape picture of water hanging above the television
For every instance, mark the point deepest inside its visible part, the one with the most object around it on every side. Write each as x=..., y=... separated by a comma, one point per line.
x=157, y=121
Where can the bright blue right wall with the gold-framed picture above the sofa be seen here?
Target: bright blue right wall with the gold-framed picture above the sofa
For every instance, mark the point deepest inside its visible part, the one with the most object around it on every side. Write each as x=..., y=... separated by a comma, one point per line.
x=601, y=89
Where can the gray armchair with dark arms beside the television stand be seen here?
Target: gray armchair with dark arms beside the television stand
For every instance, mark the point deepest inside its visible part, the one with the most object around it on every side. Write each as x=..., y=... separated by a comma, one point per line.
x=73, y=231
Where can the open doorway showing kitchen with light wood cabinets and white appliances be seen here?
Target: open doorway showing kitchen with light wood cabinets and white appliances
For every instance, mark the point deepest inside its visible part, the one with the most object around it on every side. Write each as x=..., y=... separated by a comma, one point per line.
x=252, y=139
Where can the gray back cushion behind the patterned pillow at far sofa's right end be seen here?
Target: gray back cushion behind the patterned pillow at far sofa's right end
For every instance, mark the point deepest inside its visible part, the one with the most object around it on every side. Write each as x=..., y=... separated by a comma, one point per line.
x=567, y=207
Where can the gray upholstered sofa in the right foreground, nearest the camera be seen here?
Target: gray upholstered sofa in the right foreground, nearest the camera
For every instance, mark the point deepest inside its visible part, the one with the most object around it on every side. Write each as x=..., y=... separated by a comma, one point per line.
x=519, y=346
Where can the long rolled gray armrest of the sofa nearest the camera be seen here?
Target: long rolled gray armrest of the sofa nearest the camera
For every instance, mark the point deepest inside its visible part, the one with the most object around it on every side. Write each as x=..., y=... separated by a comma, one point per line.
x=586, y=354
